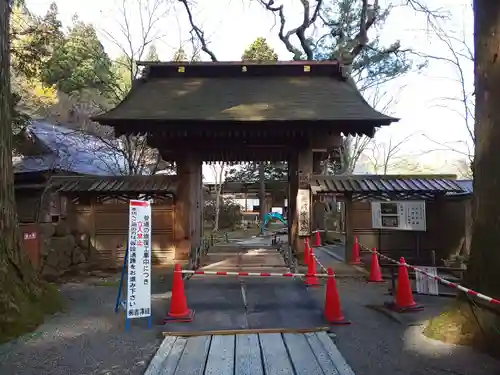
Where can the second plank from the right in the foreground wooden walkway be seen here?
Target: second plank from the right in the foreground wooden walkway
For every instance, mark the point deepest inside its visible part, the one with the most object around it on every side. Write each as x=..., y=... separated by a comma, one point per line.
x=303, y=359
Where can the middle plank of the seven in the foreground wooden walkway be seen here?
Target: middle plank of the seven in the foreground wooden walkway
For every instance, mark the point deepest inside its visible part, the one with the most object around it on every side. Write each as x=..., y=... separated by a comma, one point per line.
x=248, y=360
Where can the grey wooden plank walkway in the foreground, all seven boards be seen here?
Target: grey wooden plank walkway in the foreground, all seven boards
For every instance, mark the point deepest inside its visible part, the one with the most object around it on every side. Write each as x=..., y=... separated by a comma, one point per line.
x=249, y=354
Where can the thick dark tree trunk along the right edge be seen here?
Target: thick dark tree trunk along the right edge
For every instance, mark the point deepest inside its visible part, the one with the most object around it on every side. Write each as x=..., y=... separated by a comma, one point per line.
x=483, y=269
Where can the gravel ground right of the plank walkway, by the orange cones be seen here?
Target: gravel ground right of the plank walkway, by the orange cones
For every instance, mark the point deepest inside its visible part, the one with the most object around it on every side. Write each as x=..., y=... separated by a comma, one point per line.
x=376, y=345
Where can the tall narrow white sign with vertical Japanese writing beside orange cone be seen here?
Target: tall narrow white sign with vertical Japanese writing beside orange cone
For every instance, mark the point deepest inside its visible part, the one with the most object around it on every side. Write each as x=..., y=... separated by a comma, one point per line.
x=139, y=260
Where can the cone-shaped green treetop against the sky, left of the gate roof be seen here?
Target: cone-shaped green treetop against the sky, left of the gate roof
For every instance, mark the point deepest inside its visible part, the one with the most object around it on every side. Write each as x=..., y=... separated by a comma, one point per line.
x=79, y=62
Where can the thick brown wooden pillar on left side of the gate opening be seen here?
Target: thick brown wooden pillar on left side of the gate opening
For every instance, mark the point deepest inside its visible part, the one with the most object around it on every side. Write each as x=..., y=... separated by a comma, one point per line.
x=188, y=207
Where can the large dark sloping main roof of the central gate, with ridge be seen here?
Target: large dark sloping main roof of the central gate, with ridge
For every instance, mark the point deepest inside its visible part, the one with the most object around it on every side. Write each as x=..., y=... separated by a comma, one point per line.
x=241, y=91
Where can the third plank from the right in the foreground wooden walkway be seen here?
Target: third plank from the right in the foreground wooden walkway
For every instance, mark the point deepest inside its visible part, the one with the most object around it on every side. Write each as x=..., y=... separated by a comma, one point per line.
x=274, y=354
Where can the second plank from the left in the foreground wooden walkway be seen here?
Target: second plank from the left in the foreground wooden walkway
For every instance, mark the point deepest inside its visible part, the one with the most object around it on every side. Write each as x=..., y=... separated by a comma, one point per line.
x=194, y=357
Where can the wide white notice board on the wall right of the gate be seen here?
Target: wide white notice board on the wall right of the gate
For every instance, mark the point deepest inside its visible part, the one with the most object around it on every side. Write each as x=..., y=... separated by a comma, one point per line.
x=399, y=215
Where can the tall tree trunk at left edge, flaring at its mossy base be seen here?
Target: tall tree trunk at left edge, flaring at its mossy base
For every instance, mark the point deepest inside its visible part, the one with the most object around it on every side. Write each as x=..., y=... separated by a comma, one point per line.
x=20, y=291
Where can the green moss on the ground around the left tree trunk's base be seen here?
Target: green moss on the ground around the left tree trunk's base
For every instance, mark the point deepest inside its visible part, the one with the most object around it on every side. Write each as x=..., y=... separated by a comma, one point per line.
x=48, y=303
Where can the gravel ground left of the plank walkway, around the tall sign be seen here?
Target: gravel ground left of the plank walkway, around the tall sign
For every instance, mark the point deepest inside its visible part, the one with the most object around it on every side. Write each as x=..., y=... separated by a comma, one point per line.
x=88, y=339
